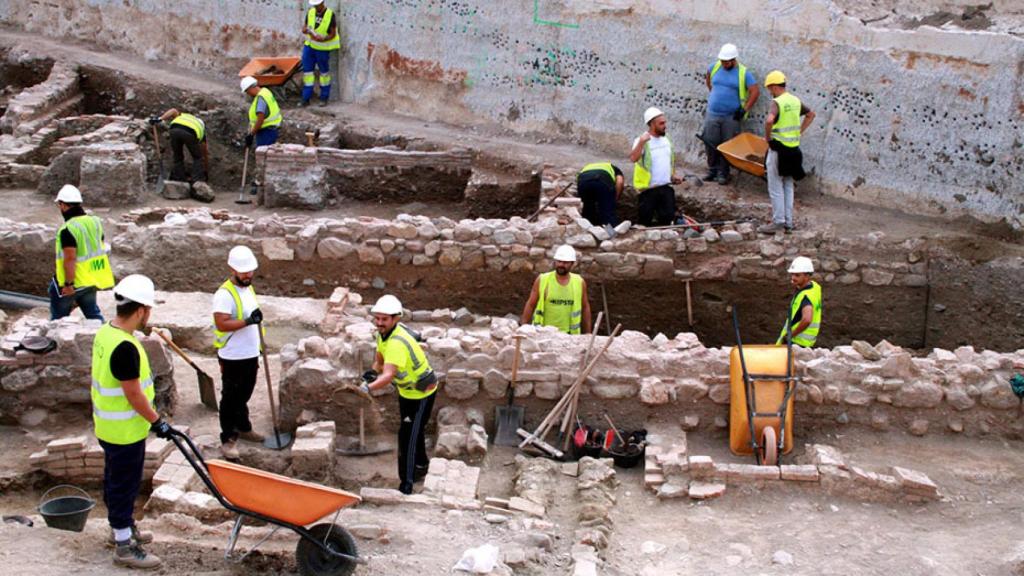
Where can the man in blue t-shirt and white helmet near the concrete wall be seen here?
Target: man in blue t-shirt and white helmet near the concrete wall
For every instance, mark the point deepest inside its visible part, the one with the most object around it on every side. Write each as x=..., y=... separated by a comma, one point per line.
x=734, y=94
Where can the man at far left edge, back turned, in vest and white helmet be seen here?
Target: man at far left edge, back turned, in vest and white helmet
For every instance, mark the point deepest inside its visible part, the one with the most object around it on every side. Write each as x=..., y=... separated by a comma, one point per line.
x=83, y=265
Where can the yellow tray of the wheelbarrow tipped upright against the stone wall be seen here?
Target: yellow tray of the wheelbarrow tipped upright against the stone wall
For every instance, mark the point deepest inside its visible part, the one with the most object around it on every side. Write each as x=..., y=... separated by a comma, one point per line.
x=764, y=360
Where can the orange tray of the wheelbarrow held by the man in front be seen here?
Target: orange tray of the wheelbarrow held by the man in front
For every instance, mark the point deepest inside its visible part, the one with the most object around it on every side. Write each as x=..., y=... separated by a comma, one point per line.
x=280, y=498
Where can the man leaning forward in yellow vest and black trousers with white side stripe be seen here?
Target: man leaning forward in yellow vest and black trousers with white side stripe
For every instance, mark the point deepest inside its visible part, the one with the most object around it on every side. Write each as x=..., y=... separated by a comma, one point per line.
x=400, y=360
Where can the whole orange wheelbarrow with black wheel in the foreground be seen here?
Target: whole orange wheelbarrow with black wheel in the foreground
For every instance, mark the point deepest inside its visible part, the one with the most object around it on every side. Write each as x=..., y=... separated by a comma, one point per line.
x=325, y=550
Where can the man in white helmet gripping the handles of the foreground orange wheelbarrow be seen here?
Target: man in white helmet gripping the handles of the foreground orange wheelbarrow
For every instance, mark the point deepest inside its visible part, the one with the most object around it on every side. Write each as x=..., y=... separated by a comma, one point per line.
x=123, y=416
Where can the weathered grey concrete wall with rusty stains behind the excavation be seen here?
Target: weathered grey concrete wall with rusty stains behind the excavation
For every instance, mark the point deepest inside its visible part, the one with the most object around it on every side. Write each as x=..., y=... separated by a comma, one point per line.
x=884, y=135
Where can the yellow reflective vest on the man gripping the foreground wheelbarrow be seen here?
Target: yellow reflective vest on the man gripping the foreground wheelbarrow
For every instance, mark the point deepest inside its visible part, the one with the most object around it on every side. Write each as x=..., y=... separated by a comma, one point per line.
x=115, y=420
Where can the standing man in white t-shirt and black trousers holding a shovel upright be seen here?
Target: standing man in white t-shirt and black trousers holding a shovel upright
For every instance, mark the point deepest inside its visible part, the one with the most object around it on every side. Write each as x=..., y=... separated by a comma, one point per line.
x=237, y=320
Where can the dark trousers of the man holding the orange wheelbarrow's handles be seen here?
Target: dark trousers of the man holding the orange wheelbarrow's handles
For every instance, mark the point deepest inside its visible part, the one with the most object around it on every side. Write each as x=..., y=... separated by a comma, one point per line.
x=122, y=479
